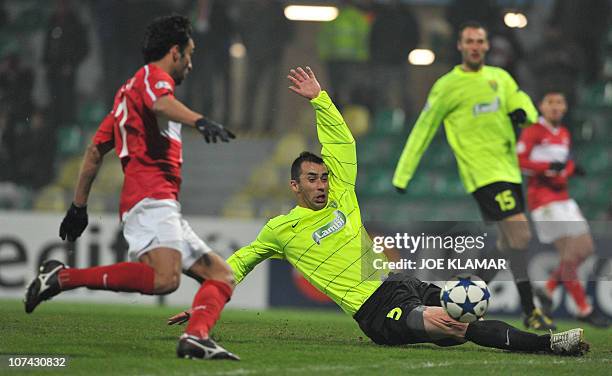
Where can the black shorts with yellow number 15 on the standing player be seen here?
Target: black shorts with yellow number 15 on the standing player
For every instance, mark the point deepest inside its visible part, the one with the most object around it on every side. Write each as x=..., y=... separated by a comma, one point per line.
x=500, y=200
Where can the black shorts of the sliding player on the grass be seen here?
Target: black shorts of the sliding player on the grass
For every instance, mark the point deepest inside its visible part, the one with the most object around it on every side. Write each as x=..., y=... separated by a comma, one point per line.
x=393, y=315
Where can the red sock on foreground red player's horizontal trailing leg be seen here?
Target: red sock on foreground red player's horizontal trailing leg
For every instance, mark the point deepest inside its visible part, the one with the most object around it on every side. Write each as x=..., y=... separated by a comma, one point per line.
x=124, y=276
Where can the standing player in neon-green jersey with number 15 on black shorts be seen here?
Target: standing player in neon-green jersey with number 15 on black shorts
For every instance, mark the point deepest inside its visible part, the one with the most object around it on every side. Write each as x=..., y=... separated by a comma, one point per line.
x=478, y=105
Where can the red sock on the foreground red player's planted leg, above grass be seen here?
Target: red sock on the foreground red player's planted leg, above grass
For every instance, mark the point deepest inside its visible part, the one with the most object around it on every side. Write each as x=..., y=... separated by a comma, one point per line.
x=207, y=306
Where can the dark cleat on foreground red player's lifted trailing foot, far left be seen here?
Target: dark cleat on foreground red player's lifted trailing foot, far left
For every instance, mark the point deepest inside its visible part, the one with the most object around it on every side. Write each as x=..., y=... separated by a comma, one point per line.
x=44, y=286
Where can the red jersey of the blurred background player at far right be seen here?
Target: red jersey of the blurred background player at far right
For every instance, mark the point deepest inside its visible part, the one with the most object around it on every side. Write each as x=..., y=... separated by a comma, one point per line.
x=538, y=146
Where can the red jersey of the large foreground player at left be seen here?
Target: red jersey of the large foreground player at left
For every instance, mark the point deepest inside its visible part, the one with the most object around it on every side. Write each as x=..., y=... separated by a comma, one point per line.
x=150, y=149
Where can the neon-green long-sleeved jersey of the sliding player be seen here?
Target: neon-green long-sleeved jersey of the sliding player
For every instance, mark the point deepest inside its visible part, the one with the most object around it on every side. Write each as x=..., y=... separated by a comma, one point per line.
x=329, y=247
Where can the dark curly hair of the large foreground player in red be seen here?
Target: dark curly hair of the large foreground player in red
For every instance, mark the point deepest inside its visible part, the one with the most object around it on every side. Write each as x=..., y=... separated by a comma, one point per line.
x=163, y=33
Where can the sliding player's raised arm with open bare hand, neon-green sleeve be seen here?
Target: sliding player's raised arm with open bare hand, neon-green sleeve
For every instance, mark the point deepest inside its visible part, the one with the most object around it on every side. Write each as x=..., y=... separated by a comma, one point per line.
x=338, y=145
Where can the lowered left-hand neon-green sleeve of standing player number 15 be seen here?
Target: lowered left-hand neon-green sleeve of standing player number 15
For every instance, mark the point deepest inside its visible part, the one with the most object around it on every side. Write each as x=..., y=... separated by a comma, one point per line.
x=420, y=137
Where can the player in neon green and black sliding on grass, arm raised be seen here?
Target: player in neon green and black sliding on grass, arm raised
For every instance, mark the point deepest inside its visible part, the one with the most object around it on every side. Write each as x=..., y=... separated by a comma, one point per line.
x=324, y=239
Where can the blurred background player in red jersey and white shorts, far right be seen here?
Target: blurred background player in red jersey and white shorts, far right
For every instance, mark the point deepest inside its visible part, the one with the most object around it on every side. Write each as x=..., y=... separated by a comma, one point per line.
x=544, y=155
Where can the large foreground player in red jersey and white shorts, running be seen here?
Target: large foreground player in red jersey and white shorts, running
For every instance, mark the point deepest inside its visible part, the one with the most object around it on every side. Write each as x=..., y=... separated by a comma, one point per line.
x=144, y=128
